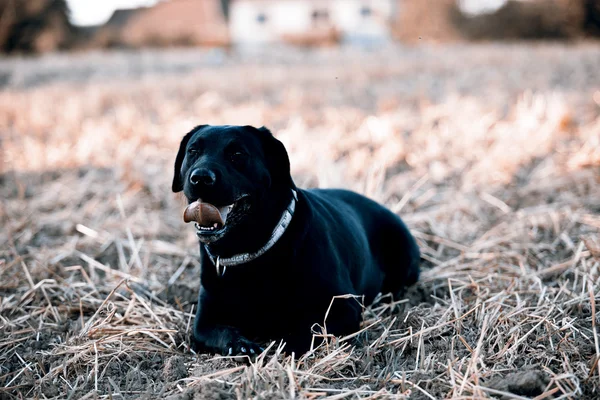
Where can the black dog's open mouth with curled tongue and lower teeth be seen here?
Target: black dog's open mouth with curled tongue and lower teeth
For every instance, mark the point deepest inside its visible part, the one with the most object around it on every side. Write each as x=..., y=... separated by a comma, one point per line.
x=209, y=219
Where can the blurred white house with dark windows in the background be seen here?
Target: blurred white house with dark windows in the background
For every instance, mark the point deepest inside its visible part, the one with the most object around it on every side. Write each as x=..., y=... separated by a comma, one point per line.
x=309, y=21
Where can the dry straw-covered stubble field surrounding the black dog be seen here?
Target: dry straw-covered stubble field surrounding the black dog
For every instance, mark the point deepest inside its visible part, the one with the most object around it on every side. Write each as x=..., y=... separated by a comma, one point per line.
x=490, y=153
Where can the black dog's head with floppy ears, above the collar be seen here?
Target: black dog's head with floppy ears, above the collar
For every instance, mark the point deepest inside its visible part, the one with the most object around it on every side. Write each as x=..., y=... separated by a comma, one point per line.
x=232, y=169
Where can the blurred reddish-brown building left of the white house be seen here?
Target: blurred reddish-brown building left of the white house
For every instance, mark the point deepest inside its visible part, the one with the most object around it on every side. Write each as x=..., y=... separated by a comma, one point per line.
x=168, y=23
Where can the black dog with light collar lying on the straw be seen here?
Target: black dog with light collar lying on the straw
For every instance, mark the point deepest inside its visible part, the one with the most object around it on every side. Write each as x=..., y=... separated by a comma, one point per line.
x=273, y=256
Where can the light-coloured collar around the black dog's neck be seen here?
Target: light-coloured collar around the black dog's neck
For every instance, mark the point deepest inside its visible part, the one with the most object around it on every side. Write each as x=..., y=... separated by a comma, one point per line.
x=221, y=263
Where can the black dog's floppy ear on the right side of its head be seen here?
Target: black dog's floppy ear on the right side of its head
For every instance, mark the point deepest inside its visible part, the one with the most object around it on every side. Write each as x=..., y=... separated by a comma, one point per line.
x=277, y=158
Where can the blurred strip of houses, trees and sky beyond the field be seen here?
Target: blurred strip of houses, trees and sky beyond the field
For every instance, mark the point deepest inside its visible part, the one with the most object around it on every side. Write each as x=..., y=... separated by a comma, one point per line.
x=39, y=26
